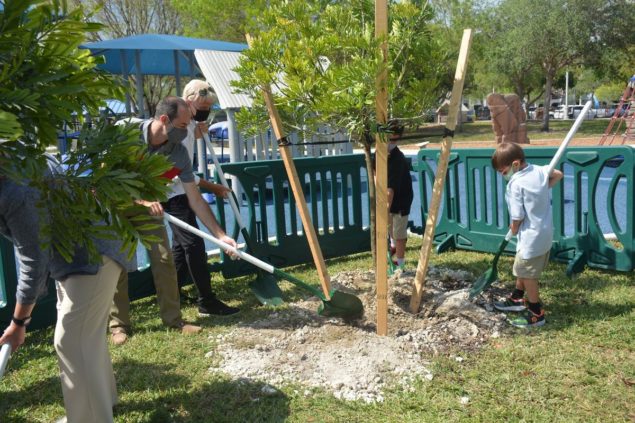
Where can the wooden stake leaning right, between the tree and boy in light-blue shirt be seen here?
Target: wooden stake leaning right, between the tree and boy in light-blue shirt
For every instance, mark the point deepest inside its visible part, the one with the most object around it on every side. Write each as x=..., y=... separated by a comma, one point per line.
x=442, y=168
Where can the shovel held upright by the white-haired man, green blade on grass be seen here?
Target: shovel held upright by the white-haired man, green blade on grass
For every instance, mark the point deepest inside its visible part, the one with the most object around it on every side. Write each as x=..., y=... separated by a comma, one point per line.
x=265, y=286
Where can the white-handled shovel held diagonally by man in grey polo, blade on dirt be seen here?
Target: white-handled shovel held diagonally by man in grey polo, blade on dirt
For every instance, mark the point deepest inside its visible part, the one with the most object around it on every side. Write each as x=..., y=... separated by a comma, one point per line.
x=340, y=304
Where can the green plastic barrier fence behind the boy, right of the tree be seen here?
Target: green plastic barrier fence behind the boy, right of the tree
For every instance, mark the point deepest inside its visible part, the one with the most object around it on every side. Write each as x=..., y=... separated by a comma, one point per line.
x=598, y=183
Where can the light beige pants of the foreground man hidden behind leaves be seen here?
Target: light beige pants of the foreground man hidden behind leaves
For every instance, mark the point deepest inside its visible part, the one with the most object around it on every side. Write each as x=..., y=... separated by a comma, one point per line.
x=88, y=382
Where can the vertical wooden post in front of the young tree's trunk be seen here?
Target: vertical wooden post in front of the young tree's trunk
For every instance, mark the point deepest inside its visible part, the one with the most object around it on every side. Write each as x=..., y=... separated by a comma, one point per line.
x=381, y=166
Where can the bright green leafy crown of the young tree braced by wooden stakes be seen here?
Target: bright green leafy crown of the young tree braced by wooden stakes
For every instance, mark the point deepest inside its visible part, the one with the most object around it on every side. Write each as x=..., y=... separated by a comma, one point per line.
x=321, y=59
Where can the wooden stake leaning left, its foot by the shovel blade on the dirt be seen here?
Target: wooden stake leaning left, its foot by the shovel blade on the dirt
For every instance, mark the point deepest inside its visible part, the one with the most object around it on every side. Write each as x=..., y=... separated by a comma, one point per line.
x=298, y=193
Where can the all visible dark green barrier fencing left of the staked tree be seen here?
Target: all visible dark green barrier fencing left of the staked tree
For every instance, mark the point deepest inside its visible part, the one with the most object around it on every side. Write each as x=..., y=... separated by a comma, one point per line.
x=335, y=188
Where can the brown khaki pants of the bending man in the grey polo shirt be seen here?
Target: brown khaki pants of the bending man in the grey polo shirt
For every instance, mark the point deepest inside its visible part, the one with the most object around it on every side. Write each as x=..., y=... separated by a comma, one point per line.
x=165, y=283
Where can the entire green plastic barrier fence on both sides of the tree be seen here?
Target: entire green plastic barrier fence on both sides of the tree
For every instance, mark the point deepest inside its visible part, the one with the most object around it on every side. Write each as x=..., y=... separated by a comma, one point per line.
x=599, y=185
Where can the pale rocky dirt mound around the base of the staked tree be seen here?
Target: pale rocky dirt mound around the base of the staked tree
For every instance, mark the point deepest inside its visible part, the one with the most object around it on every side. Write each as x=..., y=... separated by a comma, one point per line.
x=295, y=345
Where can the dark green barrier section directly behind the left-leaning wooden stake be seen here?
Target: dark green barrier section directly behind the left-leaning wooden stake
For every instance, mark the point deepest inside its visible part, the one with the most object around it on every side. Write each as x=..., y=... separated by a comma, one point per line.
x=333, y=188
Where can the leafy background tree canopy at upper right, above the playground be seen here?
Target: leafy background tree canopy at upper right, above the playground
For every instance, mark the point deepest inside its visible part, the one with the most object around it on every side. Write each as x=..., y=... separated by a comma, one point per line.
x=526, y=44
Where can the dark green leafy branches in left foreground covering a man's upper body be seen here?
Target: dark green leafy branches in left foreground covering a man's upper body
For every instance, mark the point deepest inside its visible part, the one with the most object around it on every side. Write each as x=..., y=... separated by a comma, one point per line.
x=45, y=80
